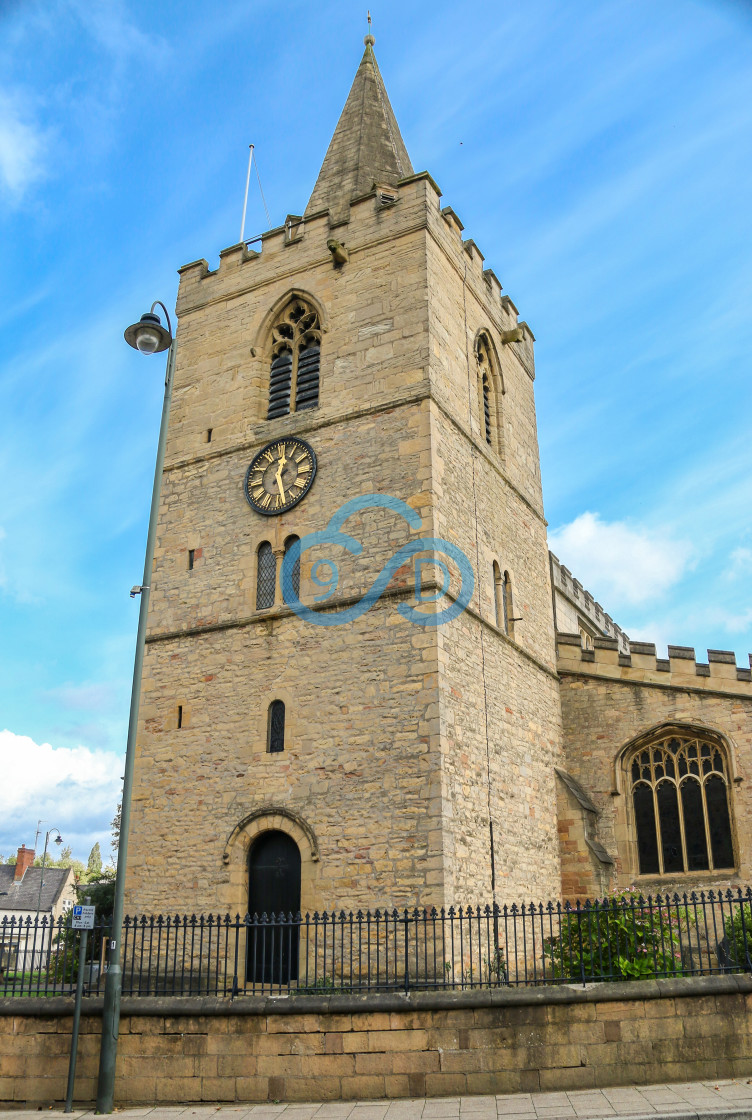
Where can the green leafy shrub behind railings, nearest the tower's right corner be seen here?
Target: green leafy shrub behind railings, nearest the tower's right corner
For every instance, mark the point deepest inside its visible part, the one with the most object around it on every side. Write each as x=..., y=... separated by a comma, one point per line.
x=619, y=939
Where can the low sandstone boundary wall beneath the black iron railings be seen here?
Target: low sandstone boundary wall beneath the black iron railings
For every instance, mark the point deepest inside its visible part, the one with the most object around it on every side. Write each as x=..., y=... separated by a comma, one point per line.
x=345, y=1048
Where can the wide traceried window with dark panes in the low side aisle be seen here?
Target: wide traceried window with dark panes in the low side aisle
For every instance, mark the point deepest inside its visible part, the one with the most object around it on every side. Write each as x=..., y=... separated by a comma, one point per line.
x=681, y=799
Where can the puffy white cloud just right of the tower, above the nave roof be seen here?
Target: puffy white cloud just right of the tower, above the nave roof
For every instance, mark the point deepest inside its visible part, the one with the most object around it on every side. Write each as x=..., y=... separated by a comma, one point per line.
x=619, y=564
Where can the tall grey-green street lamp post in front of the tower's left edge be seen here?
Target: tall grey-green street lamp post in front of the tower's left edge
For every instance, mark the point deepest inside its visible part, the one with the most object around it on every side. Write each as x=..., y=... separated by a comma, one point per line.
x=150, y=338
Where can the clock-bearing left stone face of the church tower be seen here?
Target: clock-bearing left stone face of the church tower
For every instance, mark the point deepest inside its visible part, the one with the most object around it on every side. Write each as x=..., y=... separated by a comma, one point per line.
x=359, y=778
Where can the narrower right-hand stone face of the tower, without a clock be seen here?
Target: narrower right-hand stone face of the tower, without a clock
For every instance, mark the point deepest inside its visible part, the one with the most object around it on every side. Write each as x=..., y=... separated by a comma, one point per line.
x=499, y=695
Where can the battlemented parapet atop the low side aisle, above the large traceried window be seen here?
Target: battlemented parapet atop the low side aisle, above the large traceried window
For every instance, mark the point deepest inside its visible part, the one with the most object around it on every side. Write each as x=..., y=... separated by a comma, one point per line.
x=680, y=670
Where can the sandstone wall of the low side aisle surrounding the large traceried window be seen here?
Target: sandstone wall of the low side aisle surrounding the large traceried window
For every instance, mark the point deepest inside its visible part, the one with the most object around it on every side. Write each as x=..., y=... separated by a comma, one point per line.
x=609, y=699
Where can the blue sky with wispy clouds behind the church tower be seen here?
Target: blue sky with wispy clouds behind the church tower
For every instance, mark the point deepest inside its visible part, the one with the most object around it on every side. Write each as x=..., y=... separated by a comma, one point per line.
x=598, y=152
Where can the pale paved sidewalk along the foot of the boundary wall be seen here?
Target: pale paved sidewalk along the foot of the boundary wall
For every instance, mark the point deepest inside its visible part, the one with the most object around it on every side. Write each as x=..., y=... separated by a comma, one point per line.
x=684, y=1102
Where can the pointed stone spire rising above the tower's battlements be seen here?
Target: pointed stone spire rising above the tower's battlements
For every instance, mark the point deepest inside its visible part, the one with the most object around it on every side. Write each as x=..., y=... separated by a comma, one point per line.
x=367, y=146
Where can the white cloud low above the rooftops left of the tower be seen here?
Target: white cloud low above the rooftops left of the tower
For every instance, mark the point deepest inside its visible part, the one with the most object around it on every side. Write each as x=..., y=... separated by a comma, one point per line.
x=73, y=789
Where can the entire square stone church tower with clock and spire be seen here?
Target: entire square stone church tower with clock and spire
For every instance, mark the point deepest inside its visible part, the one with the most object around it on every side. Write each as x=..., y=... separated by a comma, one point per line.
x=363, y=351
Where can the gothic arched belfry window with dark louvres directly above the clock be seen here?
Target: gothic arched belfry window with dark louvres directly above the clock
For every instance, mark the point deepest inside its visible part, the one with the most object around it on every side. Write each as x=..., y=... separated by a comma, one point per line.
x=295, y=360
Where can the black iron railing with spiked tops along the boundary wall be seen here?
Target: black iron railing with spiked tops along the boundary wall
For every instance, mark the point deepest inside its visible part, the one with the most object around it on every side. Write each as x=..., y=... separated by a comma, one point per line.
x=623, y=938
